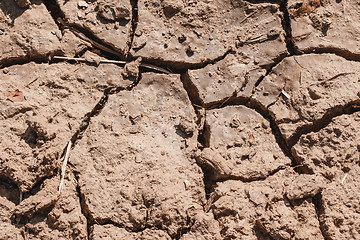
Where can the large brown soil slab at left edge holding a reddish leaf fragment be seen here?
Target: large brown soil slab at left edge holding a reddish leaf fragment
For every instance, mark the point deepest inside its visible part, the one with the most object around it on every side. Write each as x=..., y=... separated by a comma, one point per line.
x=38, y=129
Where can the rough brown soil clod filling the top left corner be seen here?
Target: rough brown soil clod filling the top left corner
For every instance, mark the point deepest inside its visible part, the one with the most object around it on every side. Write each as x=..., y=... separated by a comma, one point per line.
x=27, y=32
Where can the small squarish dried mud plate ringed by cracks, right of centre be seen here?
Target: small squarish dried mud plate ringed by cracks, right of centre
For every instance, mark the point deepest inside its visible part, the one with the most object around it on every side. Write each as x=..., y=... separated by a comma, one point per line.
x=240, y=145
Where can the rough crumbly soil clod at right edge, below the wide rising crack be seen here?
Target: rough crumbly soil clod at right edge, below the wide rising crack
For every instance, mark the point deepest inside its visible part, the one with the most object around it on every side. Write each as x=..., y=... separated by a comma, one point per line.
x=338, y=150
